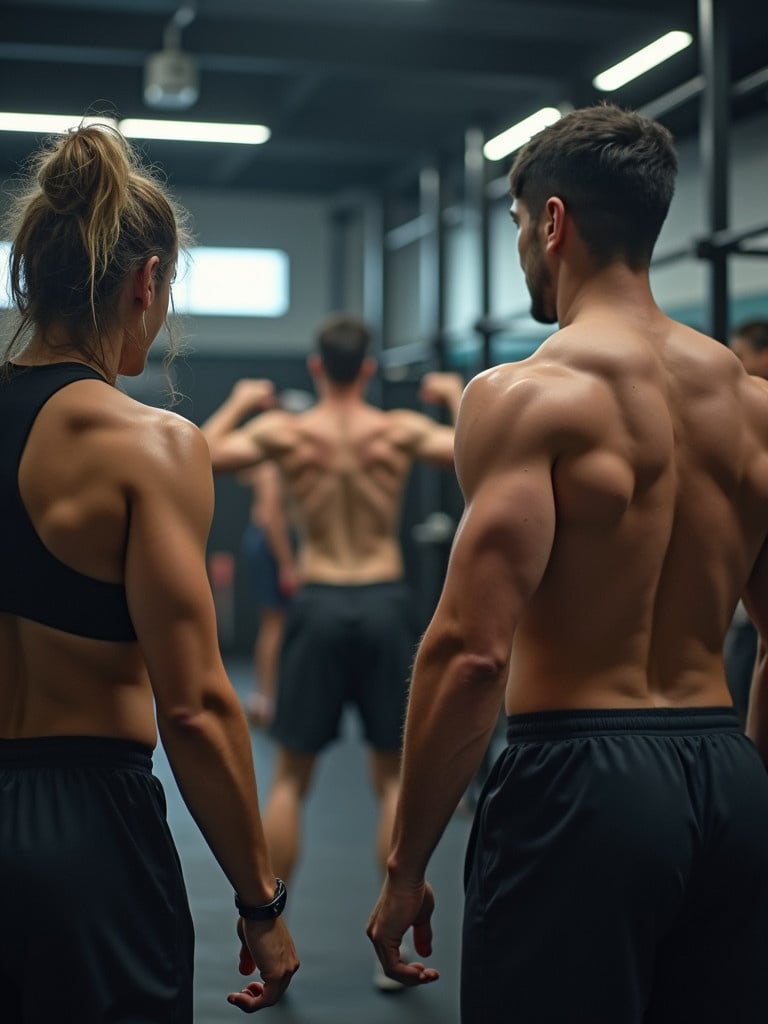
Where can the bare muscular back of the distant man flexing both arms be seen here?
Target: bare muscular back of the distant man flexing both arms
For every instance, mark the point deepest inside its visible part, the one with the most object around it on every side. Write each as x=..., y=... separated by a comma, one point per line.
x=347, y=465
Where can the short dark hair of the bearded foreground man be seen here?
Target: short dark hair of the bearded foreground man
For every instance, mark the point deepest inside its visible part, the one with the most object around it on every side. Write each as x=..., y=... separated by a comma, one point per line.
x=614, y=169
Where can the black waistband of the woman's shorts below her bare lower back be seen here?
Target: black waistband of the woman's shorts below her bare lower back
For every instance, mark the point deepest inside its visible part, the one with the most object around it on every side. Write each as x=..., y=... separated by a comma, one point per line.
x=78, y=752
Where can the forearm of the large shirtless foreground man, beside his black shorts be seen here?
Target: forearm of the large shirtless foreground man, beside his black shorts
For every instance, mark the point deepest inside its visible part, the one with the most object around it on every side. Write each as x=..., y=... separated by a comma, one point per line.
x=453, y=710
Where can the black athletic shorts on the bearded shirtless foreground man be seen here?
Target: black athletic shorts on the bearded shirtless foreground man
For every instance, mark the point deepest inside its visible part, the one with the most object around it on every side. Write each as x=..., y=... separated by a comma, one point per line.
x=618, y=874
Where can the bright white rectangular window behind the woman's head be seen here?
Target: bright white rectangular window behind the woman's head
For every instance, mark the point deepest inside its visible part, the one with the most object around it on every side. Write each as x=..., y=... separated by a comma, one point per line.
x=214, y=282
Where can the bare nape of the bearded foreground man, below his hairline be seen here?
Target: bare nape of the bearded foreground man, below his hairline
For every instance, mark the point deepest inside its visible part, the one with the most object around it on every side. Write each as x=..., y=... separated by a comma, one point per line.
x=614, y=288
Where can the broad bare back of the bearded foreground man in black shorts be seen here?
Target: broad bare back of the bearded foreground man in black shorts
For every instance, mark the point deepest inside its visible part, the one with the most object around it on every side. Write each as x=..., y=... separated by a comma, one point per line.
x=656, y=447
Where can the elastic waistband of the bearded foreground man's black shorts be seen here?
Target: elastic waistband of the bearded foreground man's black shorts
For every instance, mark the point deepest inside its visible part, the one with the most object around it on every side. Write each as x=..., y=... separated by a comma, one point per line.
x=601, y=722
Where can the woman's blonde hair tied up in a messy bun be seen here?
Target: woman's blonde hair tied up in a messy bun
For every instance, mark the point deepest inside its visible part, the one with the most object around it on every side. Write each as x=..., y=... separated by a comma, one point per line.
x=88, y=216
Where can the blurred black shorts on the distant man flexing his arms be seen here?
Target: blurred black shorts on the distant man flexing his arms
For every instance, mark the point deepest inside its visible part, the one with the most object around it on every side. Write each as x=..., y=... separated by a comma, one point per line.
x=346, y=646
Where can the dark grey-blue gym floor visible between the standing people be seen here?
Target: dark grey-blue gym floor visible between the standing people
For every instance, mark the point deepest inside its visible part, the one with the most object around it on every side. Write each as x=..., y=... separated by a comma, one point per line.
x=331, y=897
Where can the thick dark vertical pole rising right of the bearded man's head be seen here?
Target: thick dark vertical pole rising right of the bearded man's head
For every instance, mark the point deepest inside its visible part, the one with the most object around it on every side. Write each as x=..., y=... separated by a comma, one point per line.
x=714, y=150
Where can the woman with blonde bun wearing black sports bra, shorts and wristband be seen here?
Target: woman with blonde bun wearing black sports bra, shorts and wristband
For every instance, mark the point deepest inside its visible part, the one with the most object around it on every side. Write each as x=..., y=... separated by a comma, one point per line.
x=108, y=632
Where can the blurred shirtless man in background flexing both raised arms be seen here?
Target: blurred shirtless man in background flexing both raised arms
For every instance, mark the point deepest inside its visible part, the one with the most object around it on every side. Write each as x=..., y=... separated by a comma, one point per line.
x=350, y=636
